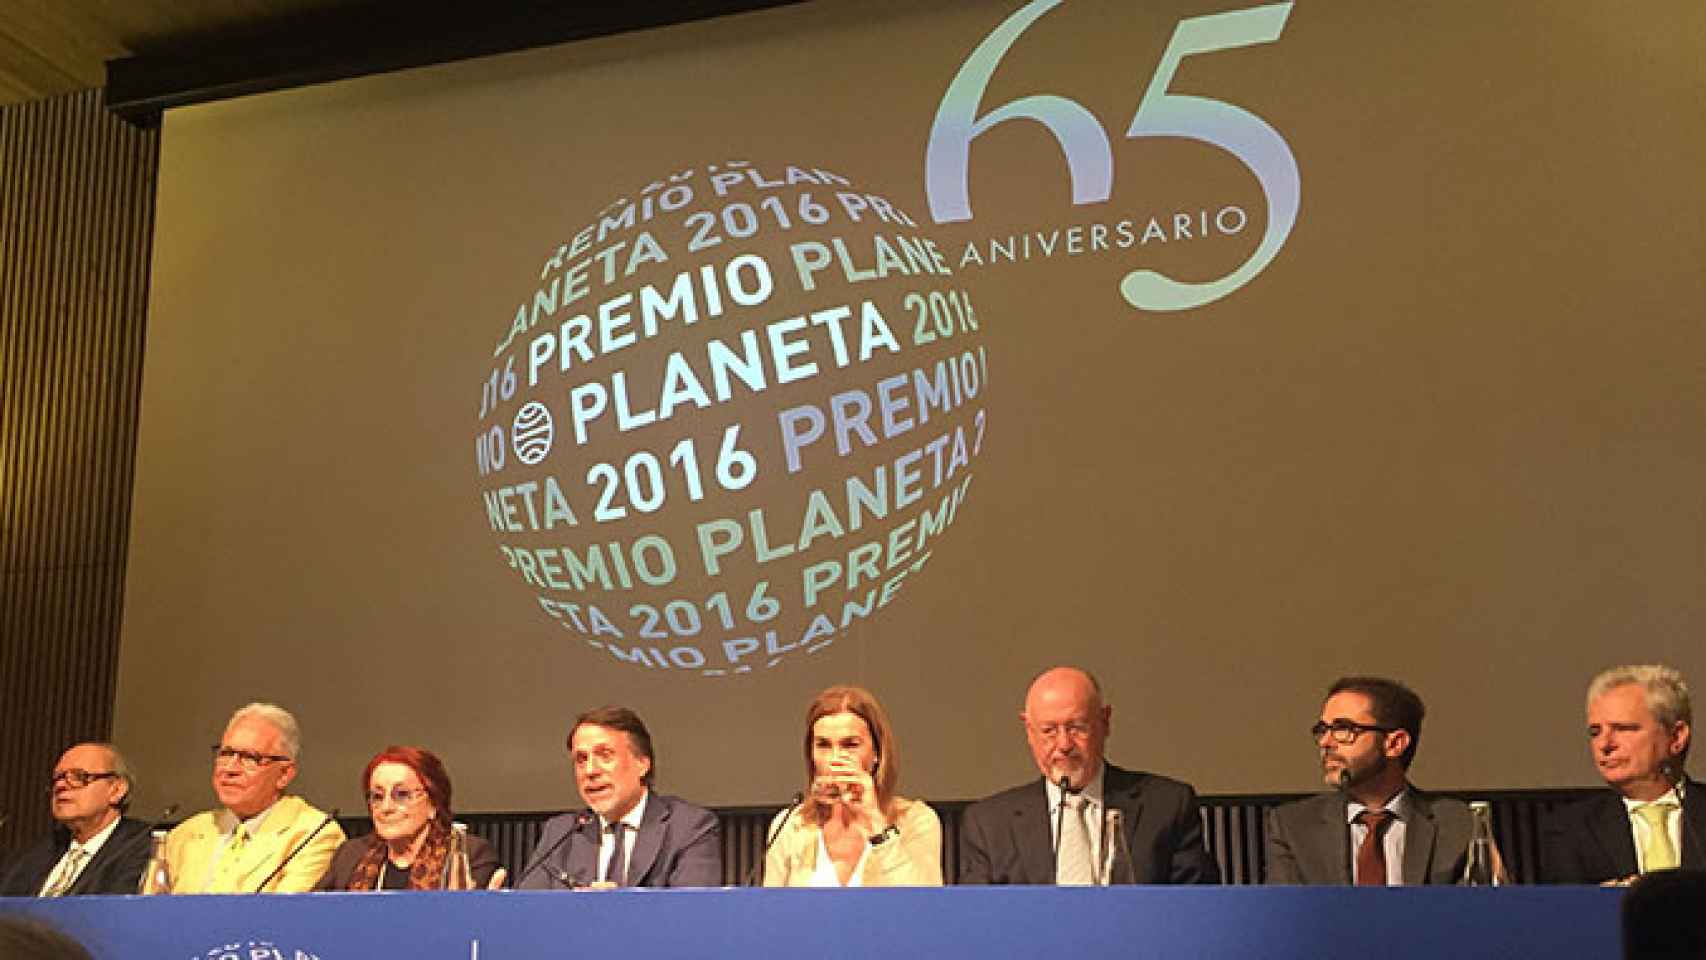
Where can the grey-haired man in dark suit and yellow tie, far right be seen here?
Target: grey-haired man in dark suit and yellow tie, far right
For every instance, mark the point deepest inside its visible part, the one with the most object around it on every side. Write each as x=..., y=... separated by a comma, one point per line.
x=1652, y=818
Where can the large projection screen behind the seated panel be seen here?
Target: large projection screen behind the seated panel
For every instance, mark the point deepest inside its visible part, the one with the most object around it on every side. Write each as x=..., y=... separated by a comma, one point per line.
x=1219, y=349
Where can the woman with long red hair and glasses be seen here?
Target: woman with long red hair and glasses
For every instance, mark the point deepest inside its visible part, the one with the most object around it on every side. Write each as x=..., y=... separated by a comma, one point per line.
x=409, y=794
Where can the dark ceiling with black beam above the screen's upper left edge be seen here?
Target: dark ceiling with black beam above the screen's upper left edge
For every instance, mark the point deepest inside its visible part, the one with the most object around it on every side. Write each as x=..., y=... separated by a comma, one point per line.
x=153, y=55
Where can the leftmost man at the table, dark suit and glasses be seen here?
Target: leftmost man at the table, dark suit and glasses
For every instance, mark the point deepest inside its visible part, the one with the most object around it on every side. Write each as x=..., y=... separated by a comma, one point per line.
x=95, y=848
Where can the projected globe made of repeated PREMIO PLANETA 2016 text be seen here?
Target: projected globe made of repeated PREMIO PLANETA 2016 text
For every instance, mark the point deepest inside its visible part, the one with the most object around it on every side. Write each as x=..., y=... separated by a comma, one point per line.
x=731, y=420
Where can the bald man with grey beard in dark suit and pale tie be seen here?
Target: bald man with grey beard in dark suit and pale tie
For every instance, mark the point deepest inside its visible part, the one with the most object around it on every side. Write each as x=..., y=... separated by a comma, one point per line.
x=1011, y=838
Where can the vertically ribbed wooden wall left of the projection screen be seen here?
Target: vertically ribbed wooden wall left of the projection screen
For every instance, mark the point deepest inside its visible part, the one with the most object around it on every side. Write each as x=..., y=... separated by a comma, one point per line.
x=76, y=229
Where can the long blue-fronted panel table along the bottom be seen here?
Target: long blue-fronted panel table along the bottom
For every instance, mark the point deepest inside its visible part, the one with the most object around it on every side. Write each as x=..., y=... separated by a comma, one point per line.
x=953, y=922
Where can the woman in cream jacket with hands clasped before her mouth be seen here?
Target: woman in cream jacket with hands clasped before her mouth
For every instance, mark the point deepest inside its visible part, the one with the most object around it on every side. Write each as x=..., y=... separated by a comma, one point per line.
x=852, y=830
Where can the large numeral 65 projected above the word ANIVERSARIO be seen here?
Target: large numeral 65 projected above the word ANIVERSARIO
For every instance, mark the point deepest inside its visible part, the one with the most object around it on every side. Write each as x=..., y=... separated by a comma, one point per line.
x=1091, y=159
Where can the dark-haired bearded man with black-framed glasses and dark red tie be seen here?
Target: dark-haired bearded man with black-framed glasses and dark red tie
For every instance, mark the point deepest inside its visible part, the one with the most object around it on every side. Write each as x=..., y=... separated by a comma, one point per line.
x=1376, y=828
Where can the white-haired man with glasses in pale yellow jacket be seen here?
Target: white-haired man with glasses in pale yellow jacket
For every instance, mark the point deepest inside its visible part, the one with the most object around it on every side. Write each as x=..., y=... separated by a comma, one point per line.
x=260, y=840
